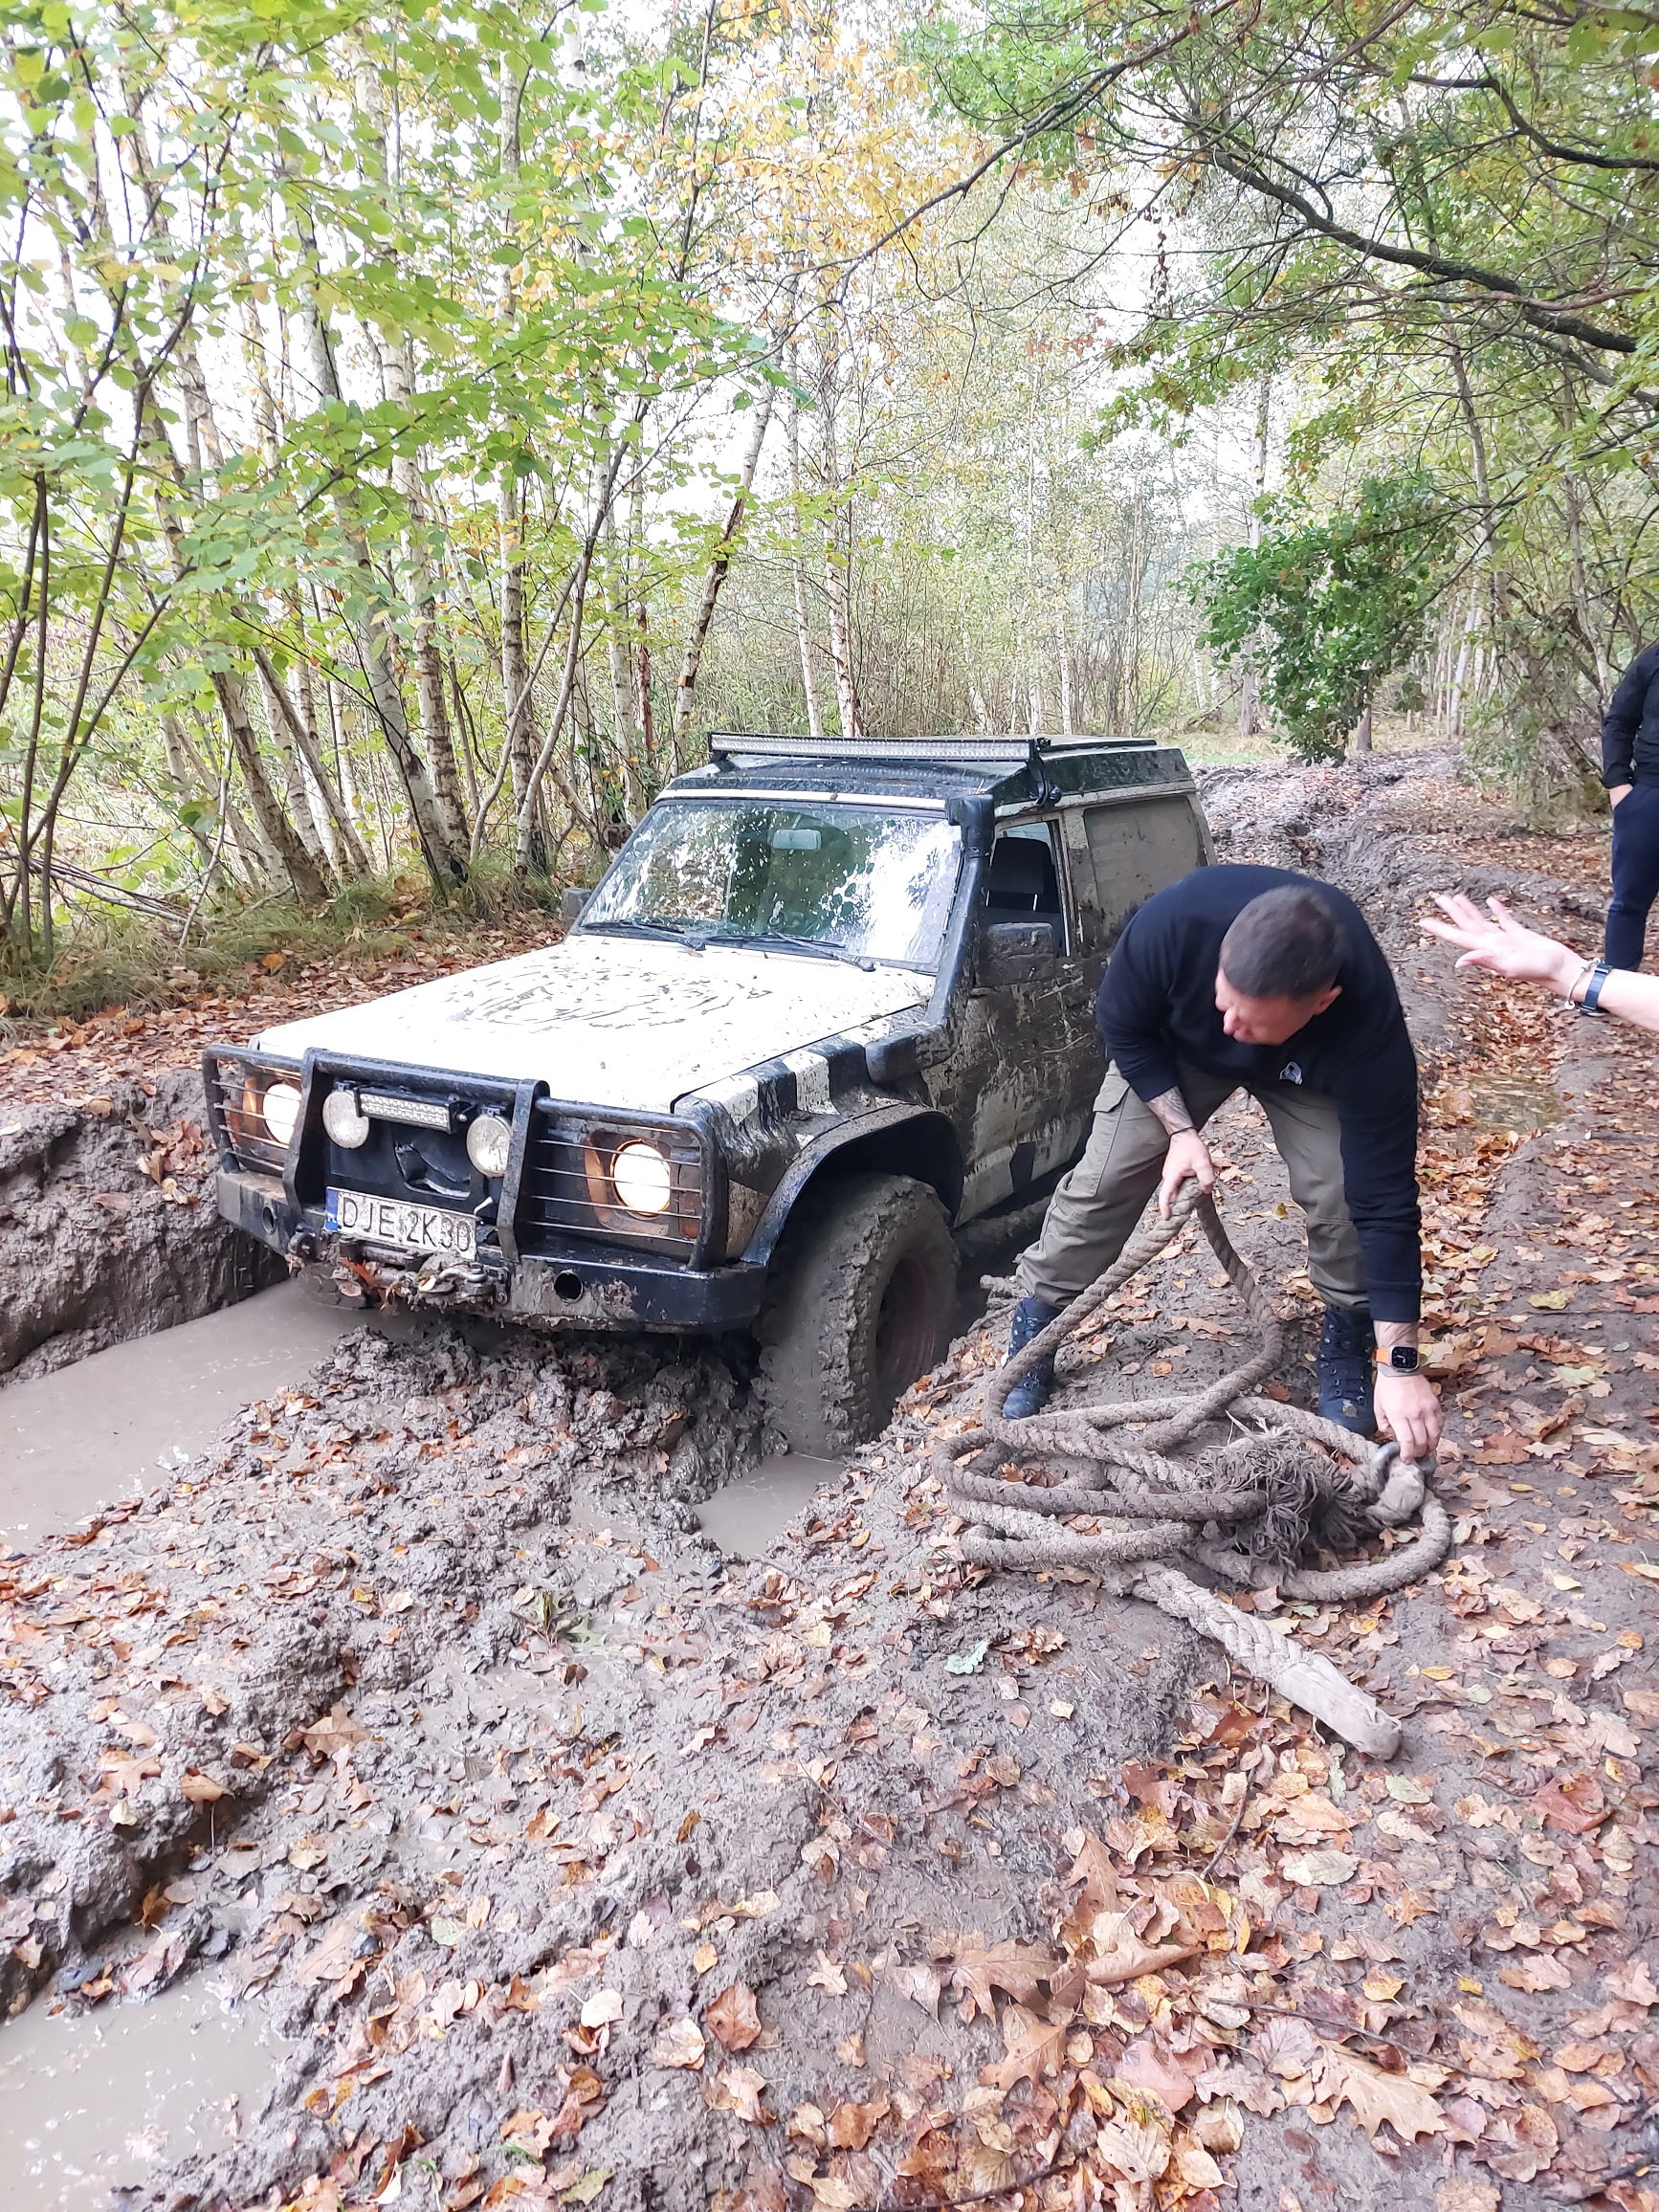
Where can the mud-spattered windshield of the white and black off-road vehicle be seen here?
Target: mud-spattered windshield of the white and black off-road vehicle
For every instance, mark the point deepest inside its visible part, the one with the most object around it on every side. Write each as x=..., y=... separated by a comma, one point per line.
x=848, y=879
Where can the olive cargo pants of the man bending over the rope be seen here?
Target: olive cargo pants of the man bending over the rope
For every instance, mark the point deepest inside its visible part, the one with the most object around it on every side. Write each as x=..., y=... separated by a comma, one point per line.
x=1098, y=1204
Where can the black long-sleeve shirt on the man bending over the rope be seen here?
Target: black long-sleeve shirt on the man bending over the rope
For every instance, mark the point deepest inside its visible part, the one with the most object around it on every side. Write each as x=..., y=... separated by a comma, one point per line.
x=1158, y=1008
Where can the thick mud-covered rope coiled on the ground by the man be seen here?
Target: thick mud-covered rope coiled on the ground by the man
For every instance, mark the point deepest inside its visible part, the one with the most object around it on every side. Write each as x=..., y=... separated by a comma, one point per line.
x=1246, y=1510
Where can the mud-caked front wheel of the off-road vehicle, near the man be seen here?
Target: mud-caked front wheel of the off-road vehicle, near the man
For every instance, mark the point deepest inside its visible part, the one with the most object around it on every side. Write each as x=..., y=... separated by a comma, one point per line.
x=864, y=1293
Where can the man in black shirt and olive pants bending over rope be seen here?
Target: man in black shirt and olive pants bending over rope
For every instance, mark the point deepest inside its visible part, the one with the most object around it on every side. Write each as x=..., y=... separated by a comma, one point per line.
x=1264, y=981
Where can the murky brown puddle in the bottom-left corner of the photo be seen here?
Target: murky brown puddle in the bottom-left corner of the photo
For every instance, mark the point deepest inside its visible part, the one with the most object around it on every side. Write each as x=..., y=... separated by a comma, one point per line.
x=116, y=2096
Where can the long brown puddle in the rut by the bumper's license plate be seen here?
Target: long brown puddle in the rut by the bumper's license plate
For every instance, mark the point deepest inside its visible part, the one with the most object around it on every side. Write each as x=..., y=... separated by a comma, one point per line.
x=125, y=1419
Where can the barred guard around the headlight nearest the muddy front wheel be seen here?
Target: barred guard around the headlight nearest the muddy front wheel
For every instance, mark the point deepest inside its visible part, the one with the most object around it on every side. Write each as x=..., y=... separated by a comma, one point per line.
x=567, y=1185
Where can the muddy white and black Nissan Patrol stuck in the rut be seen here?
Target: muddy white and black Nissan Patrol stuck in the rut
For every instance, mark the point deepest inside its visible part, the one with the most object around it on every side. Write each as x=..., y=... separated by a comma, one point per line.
x=831, y=1003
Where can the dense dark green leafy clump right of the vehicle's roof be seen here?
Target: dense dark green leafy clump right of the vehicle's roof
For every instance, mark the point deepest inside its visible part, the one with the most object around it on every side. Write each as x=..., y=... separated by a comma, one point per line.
x=1326, y=609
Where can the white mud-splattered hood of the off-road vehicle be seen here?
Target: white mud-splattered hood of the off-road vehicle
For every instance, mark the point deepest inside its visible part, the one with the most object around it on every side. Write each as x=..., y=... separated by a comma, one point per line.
x=614, y=1021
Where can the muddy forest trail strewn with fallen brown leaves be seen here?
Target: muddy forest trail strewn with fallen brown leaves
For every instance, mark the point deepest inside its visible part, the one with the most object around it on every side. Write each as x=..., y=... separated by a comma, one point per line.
x=576, y=1864
